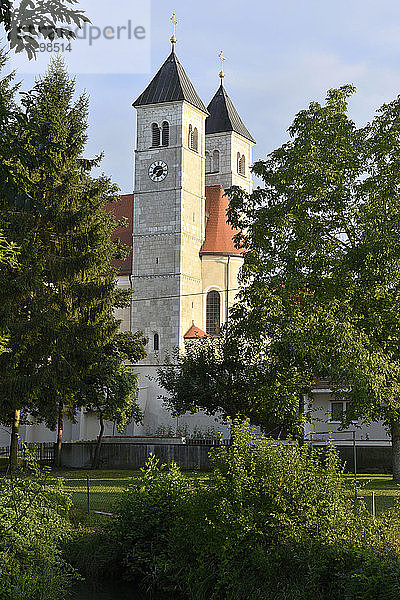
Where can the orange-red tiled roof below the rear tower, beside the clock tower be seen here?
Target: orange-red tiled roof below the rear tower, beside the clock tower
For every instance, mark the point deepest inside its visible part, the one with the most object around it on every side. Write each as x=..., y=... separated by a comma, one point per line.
x=218, y=233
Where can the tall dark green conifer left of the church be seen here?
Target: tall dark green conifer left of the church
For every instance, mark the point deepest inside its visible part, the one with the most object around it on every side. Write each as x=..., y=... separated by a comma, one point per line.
x=59, y=302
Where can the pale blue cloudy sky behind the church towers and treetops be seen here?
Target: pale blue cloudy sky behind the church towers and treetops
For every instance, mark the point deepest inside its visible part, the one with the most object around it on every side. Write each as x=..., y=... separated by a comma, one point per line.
x=280, y=57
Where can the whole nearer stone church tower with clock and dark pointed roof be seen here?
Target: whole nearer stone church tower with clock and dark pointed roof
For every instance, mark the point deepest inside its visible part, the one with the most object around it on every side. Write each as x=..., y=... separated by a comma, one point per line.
x=169, y=212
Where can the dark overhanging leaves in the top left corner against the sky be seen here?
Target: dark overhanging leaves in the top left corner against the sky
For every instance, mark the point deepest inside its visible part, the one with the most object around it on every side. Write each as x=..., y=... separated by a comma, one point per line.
x=27, y=20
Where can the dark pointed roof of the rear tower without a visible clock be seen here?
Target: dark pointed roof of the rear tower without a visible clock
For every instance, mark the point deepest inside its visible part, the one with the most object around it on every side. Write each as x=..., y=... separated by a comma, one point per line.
x=224, y=116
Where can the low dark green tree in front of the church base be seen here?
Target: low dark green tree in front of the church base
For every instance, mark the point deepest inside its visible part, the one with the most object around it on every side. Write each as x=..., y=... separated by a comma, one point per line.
x=228, y=377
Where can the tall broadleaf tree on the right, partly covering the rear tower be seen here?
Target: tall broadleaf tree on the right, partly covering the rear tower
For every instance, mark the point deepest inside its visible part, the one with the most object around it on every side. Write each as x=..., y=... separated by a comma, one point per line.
x=322, y=270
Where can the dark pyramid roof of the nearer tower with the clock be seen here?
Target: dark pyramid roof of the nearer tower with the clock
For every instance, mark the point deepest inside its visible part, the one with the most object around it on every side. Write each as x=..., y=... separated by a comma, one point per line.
x=170, y=84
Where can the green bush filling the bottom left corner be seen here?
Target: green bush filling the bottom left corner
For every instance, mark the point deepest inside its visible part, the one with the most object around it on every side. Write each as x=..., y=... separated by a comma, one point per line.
x=33, y=524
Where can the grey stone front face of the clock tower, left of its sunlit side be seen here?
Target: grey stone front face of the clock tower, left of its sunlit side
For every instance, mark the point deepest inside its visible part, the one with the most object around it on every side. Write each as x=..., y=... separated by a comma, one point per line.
x=156, y=230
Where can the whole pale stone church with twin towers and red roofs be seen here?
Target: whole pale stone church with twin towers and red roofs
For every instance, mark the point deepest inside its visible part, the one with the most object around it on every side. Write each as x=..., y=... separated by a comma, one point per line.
x=183, y=266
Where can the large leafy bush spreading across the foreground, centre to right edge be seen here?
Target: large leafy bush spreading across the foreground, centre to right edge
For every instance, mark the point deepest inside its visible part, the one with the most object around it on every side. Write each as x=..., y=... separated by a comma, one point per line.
x=273, y=521
